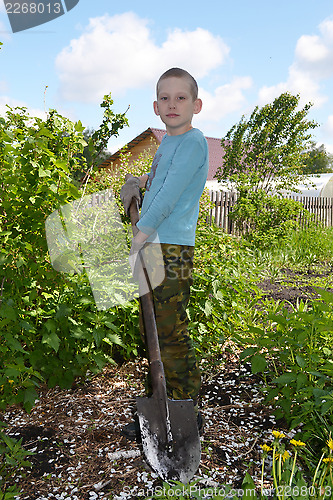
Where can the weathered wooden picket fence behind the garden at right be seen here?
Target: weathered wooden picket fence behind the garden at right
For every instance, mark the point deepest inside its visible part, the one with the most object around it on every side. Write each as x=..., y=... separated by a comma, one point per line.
x=223, y=202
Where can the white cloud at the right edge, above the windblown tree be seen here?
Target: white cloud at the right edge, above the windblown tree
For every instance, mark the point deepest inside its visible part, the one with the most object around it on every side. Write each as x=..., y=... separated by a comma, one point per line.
x=312, y=64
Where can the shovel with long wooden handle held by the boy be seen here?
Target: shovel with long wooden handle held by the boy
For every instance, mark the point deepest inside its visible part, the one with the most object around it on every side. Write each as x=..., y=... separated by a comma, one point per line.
x=169, y=431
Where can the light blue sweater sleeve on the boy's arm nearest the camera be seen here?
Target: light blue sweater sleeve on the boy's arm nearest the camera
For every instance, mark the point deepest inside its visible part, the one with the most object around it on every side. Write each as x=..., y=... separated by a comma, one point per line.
x=189, y=157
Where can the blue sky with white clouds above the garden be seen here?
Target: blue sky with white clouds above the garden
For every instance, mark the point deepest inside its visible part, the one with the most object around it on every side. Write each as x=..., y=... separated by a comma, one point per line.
x=243, y=54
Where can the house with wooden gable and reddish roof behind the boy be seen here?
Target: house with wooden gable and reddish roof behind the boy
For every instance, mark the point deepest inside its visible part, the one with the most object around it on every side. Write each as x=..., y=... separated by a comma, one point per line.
x=152, y=137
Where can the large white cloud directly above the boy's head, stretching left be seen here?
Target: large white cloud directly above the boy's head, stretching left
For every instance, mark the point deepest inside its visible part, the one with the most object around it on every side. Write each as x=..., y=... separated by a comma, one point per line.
x=119, y=53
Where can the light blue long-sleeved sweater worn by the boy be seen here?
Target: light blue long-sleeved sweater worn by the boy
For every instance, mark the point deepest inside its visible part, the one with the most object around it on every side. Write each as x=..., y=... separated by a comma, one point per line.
x=175, y=184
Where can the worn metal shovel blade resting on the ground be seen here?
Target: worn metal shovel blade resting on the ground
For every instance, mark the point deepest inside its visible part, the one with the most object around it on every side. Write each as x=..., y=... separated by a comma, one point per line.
x=173, y=451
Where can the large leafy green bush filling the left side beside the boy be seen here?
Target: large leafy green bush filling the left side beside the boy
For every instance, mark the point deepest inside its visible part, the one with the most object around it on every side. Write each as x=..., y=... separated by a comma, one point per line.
x=51, y=330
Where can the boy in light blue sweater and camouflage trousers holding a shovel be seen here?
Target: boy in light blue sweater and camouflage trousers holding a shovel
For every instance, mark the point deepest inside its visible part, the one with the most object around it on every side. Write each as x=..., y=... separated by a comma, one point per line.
x=170, y=208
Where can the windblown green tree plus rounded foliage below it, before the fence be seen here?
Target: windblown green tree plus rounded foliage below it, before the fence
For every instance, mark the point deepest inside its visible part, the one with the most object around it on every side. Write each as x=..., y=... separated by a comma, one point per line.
x=263, y=155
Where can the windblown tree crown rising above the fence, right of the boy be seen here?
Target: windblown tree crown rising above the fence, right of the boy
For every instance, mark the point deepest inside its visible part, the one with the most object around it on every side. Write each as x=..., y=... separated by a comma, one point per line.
x=265, y=151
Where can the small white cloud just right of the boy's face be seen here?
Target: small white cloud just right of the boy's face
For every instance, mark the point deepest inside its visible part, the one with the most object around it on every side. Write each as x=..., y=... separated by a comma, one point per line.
x=225, y=100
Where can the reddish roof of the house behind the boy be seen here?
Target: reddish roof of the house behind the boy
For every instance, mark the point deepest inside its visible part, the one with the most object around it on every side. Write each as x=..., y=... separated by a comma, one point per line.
x=215, y=149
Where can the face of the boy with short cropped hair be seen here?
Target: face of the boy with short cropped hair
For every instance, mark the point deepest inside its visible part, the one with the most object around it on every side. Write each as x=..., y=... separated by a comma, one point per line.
x=175, y=105
